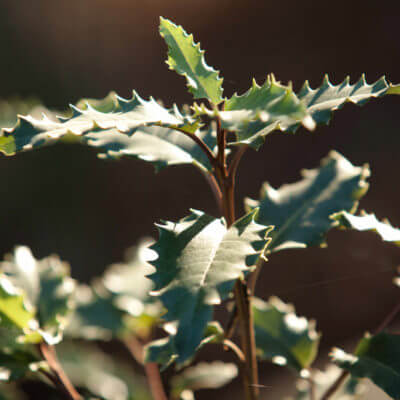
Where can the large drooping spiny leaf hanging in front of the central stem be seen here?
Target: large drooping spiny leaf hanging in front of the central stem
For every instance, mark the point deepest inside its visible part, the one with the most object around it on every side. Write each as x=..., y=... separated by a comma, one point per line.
x=199, y=259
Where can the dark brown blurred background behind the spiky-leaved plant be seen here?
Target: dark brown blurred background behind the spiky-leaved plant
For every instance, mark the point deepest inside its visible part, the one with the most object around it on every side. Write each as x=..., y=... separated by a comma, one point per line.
x=63, y=199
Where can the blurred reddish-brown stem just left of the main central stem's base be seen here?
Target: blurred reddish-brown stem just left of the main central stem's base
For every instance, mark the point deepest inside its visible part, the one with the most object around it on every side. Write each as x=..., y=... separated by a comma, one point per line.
x=152, y=371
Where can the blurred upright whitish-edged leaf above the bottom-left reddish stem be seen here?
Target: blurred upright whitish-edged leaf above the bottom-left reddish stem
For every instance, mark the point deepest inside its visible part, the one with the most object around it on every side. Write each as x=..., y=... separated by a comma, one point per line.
x=48, y=289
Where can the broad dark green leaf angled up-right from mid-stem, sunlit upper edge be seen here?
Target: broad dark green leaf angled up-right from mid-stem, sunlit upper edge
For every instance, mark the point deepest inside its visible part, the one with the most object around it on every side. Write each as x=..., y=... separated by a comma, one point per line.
x=301, y=211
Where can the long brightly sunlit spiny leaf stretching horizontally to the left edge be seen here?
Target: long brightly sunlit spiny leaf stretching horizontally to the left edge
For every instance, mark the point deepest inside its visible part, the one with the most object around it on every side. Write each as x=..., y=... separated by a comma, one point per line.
x=126, y=117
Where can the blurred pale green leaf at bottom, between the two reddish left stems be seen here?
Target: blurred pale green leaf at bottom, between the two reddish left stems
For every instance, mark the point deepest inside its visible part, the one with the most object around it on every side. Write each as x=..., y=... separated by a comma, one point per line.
x=103, y=376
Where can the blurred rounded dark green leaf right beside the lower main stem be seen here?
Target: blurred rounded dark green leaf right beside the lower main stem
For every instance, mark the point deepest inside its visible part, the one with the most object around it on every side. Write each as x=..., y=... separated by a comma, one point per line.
x=282, y=336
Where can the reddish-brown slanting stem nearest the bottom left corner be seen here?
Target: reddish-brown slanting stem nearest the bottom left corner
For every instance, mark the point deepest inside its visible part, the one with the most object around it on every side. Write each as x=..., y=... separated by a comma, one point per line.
x=59, y=377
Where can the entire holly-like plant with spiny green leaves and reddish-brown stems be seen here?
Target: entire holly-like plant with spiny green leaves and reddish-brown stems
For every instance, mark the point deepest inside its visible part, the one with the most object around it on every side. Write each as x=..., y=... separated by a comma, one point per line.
x=177, y=281
